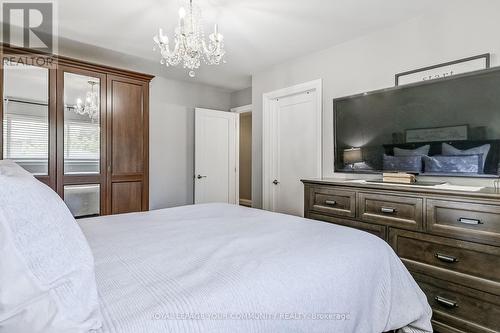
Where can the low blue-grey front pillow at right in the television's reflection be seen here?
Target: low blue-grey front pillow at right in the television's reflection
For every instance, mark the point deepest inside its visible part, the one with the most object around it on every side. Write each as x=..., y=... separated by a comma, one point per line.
x=453, y=164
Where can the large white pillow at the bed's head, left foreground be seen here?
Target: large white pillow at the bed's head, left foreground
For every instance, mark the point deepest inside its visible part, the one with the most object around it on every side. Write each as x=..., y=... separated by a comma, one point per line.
x=47, y=279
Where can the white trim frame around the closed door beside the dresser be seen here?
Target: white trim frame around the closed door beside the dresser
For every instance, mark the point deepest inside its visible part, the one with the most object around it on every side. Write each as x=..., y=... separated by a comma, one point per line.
x=317, y=86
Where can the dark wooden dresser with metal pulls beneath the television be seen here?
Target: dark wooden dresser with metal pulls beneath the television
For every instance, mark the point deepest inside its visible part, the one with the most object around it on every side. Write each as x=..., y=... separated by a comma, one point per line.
x=448, y=240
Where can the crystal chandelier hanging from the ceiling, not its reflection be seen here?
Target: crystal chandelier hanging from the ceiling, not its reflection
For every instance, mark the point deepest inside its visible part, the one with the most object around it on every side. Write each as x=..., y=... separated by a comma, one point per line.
x=189, y=42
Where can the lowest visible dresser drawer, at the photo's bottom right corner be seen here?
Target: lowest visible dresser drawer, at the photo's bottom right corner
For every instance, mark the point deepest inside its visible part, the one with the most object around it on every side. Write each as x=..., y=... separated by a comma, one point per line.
x=460, y=307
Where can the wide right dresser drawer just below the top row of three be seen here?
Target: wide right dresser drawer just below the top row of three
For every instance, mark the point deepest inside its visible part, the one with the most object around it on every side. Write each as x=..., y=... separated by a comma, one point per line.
x=470, y=259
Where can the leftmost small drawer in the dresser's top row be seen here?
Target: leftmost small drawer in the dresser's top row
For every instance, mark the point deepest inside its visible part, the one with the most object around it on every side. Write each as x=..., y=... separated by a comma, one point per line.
x=333, y=202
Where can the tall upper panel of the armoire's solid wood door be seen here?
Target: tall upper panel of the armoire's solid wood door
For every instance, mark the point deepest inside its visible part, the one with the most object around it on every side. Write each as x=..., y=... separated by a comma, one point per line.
x=127, y=127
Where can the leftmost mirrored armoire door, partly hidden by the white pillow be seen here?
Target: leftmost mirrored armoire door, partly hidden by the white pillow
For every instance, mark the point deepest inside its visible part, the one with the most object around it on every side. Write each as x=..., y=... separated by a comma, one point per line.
x=26, y=112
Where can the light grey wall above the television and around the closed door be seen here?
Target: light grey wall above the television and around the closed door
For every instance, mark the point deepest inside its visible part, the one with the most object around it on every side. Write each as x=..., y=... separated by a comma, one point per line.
x=371, y=62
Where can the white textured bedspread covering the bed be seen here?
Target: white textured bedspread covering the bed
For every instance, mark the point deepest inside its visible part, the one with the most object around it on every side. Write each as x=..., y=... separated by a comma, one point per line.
x=220, y=268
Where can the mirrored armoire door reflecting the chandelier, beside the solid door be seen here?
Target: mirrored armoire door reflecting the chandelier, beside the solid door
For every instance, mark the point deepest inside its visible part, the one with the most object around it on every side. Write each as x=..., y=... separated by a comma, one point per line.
x=81, y=141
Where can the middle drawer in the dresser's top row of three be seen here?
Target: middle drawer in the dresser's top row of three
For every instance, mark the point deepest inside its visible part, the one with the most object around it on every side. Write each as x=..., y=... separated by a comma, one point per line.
x=396, y=211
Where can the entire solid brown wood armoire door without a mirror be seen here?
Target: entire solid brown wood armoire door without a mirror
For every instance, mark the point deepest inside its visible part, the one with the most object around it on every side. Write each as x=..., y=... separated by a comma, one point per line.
x=128, y=135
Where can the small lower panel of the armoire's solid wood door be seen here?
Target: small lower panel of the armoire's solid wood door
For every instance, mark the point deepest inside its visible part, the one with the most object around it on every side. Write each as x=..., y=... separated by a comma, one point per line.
x=126, y=197
